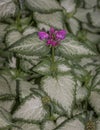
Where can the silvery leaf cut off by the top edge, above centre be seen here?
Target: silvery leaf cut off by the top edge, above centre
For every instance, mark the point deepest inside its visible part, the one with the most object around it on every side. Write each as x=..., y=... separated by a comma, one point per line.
x=43, y=5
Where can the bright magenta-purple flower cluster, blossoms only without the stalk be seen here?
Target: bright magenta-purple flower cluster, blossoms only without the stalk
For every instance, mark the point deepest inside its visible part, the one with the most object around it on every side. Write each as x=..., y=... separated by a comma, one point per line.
x=53, y=37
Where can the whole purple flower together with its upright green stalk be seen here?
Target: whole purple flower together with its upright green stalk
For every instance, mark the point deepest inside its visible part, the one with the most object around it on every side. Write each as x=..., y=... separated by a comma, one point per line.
x=52, y=38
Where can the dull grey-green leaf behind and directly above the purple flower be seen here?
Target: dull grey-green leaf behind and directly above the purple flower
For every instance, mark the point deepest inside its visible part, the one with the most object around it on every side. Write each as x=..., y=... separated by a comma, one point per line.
x=54, y=19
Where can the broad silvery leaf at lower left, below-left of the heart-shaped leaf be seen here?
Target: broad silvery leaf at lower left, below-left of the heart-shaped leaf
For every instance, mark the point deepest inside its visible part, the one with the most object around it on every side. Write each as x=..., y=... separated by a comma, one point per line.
x=31, y=109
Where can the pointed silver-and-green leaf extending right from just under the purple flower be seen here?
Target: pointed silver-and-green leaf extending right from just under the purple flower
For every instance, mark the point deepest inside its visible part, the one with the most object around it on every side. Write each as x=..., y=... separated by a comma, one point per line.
x=71, y=47
